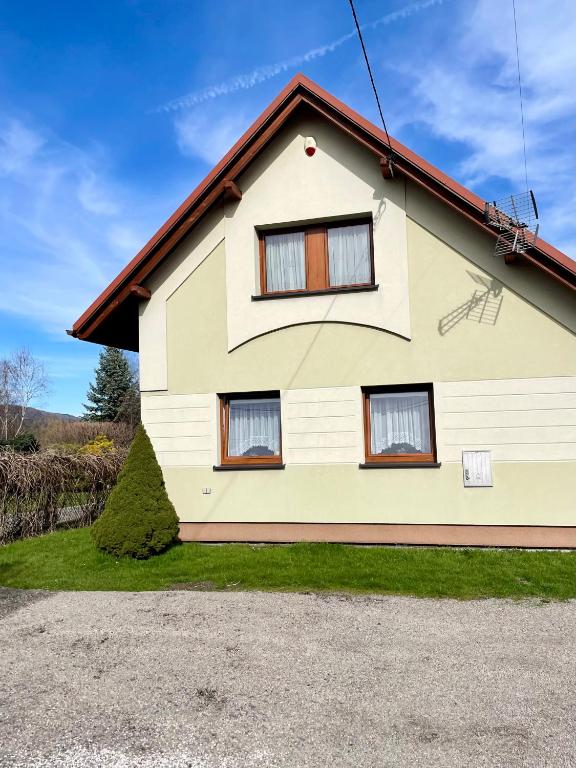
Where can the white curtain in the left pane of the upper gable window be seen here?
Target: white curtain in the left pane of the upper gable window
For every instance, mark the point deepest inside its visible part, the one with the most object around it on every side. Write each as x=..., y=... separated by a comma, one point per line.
x=285, y=262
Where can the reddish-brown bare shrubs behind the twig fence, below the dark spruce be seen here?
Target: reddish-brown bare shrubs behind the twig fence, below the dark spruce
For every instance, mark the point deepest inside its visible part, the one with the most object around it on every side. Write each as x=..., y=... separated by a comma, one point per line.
x=63, y=436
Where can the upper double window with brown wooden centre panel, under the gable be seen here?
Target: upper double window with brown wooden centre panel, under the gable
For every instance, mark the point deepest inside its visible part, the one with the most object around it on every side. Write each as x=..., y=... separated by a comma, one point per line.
x=316, y=258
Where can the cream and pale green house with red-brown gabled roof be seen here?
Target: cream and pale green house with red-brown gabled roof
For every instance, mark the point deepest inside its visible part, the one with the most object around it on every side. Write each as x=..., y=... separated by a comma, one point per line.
x=330, y=349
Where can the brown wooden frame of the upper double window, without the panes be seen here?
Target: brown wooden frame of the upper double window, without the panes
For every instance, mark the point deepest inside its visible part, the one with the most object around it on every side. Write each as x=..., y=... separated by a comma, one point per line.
x=316, y=257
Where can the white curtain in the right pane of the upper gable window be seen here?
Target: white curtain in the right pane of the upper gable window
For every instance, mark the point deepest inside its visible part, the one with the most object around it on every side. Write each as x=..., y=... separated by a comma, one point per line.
x=349, y=254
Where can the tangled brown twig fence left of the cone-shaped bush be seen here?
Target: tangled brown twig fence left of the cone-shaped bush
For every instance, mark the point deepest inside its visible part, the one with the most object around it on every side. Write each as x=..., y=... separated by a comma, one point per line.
x=41, y=492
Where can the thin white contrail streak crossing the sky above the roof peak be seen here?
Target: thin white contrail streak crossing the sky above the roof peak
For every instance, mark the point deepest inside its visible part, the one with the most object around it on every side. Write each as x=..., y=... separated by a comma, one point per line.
x=268, y=71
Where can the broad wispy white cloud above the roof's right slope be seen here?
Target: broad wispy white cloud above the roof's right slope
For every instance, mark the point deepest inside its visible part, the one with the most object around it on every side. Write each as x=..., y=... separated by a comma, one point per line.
x=475, y=105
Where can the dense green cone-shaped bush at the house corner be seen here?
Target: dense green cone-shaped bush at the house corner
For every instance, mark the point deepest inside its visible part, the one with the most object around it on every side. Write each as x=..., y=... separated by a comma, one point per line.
x=138, y=519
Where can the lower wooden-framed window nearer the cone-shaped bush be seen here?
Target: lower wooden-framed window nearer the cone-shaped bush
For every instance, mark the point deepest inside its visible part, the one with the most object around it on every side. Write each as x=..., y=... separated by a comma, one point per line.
x=250, y=428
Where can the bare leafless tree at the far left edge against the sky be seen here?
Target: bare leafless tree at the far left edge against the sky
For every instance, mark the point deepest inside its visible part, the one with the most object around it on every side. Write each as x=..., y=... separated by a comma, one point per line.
x=23, y=380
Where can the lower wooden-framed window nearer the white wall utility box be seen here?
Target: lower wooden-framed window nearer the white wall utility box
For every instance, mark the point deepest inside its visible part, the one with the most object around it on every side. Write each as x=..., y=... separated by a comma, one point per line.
x=399, y=424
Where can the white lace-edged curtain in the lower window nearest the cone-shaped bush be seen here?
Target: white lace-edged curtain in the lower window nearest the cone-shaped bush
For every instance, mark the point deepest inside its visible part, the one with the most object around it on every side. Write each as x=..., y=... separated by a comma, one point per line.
x=254, y=427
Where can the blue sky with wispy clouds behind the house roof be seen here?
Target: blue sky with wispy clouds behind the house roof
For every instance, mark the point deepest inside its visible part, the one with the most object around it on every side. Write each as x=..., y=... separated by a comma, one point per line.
x=111, y=112
